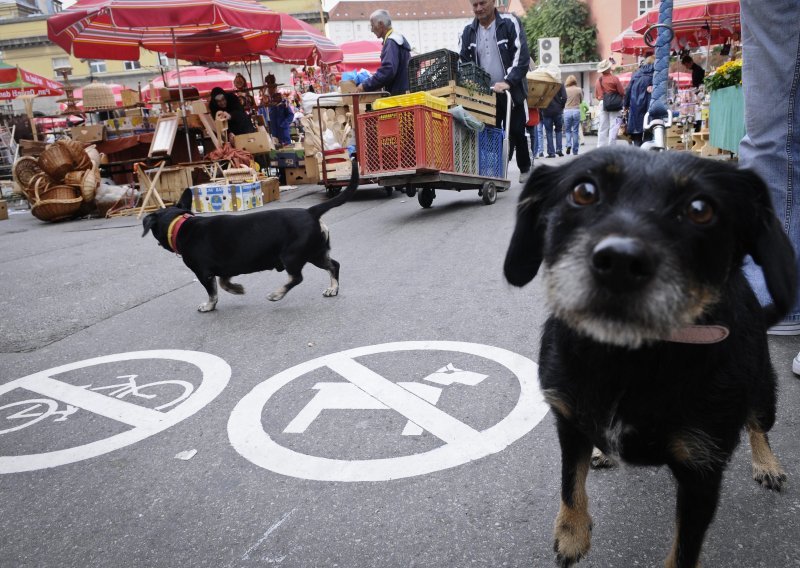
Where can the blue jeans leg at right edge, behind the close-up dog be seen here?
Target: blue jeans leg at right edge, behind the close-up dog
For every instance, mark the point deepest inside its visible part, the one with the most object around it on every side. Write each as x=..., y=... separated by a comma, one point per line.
x=771, y=147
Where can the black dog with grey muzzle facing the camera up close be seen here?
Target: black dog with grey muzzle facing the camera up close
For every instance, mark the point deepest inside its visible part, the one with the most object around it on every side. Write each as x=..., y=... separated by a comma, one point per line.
x=655, y=350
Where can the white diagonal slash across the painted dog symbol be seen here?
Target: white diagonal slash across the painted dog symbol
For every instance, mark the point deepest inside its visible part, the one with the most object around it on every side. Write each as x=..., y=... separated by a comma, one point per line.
x=419, y=411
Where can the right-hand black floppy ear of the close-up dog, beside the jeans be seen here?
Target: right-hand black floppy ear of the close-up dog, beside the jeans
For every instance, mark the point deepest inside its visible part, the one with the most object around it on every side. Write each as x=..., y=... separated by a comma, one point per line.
x=771, y=249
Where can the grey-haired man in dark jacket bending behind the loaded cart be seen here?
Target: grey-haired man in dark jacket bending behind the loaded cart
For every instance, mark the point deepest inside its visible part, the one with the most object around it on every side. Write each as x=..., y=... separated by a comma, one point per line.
x=392, y=75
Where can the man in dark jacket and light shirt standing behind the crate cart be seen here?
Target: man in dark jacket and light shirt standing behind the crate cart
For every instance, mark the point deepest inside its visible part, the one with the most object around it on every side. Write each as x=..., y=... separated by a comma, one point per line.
x=497, y=43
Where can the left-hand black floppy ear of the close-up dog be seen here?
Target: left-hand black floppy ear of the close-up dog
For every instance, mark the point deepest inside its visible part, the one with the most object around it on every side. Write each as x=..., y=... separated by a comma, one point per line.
x=524, y=254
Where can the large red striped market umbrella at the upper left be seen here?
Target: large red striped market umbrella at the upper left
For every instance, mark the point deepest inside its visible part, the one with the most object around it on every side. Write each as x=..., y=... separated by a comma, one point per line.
x=189, y=29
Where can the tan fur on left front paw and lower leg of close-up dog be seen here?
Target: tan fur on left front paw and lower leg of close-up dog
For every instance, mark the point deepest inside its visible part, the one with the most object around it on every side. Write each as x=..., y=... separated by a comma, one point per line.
x=573, y=530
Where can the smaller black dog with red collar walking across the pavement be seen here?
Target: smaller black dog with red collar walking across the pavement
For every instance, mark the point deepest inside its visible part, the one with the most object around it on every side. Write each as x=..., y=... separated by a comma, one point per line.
x=224, y=246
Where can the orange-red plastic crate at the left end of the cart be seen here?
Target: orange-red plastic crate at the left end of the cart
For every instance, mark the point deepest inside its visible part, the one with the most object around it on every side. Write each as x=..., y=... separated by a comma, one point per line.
x=405, y=138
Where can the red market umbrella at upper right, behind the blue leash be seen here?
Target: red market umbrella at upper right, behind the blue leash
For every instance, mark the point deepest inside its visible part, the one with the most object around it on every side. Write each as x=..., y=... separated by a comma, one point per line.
x=697, y=22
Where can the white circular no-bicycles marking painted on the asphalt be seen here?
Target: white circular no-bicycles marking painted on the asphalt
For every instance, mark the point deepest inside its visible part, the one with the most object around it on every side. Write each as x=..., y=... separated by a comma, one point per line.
x=41, y=399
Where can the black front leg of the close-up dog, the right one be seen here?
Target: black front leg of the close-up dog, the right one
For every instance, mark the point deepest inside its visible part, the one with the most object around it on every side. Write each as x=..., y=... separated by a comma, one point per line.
x=698, y=494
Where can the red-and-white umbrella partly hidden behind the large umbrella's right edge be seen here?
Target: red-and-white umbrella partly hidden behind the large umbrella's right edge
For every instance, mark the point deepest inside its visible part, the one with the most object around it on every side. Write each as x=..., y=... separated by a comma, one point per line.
x=303, y=44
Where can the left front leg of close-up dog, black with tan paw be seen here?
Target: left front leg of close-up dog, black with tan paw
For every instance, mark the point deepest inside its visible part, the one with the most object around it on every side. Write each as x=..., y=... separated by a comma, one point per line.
x=573, y=530
